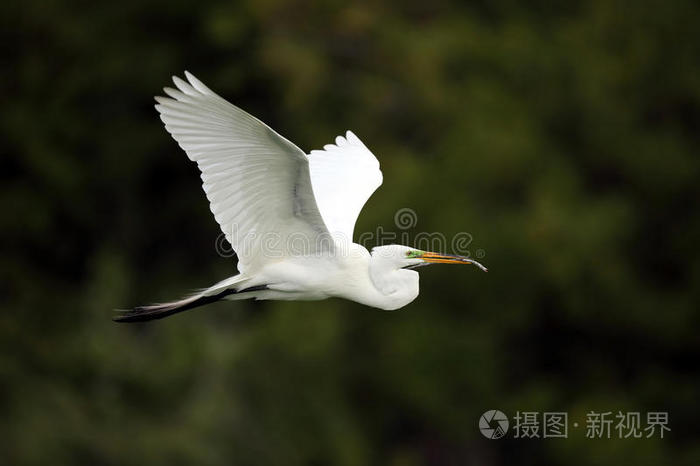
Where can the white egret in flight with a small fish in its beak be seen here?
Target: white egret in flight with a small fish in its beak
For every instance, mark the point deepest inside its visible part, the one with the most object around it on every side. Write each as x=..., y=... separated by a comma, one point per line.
x=288, y=215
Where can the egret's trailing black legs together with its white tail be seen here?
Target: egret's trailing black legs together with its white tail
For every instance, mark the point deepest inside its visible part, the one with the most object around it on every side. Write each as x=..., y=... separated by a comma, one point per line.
x=210, y=295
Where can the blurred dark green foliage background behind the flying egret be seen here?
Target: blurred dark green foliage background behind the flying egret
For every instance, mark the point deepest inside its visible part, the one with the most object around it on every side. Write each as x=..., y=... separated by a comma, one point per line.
x=563, y=137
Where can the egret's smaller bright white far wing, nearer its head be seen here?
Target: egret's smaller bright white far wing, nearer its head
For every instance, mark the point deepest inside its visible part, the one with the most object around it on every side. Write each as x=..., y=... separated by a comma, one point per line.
x=344, y=175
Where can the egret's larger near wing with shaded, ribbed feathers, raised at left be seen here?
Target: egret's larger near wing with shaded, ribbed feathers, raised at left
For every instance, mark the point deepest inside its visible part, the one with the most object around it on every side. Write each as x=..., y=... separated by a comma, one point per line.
x=257, y=182
